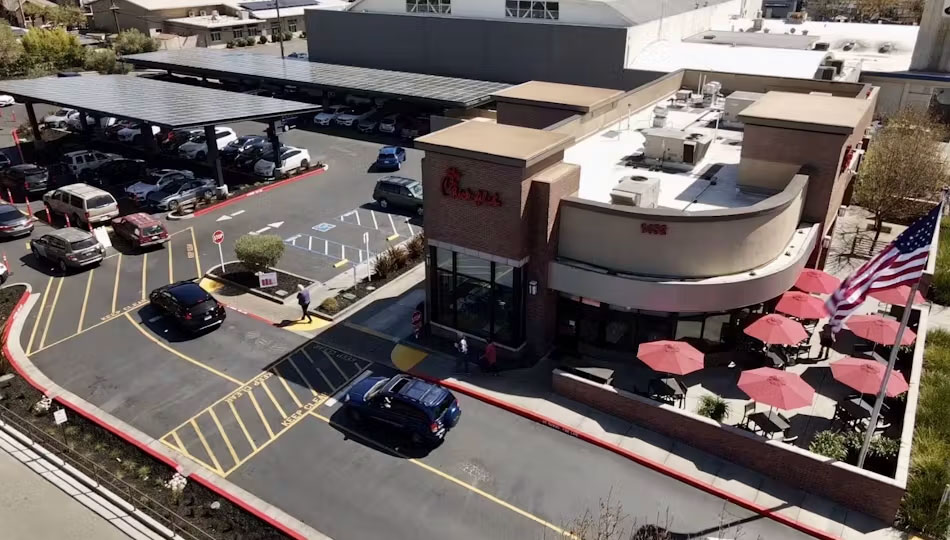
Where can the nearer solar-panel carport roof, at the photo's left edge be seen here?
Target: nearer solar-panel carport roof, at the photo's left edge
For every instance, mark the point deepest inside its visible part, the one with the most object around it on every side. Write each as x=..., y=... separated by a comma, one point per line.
x=161, y=103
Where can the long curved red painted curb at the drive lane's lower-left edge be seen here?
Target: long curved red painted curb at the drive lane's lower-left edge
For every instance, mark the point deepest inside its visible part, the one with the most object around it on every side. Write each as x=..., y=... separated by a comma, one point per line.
x=132, y=440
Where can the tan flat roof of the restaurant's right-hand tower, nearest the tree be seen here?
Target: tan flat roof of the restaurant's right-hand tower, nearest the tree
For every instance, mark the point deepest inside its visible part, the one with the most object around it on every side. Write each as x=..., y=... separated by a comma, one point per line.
x=813, y=112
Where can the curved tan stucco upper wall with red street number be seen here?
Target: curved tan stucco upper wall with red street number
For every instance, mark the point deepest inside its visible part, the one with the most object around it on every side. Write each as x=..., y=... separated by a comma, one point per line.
x=694, y=246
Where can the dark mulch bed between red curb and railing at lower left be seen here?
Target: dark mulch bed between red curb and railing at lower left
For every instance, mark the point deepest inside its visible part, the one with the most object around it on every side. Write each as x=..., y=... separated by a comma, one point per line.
x=122, y=466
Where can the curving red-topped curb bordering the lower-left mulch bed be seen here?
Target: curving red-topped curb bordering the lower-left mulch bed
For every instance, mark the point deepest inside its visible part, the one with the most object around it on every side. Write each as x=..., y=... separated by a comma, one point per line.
x=192, y=472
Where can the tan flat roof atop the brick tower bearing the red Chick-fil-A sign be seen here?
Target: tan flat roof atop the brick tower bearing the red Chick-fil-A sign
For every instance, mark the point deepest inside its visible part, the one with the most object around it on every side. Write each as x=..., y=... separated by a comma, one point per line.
x=501, y=143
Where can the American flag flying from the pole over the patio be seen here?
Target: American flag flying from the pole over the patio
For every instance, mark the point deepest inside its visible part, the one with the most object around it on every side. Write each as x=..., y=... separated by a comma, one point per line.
x=902, y=262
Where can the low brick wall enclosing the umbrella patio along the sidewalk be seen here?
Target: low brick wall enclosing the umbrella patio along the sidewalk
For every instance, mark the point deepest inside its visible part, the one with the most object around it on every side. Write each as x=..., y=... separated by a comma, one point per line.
x=866, y=492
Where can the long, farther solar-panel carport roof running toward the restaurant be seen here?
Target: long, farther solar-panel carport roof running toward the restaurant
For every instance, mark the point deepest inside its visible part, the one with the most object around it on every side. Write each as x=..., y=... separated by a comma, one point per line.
x=445, y=91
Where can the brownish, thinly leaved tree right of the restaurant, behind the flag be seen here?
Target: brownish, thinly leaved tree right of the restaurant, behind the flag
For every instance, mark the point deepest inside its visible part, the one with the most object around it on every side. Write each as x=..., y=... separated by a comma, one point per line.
x=903, y=163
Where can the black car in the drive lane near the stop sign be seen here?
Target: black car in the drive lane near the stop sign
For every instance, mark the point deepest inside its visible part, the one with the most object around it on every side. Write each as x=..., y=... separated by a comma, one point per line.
x=190, y=305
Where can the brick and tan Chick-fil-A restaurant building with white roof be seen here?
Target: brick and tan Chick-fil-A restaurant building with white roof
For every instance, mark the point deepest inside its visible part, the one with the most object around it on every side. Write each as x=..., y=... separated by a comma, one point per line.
x=596, y=219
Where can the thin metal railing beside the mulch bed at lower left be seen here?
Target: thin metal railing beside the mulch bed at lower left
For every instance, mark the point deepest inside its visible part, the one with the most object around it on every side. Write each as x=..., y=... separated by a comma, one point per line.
x=105, y=478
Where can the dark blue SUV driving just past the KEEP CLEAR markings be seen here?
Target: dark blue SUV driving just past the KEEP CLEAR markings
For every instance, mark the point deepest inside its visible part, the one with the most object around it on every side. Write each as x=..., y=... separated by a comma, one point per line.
x=425, y=410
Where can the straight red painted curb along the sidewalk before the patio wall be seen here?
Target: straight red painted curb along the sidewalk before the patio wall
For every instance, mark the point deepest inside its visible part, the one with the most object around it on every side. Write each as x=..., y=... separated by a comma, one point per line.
x=656, y=466
